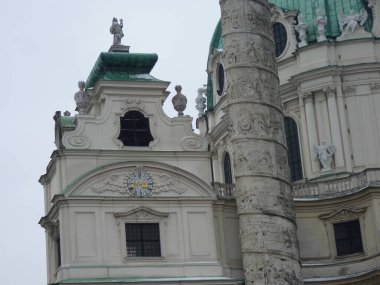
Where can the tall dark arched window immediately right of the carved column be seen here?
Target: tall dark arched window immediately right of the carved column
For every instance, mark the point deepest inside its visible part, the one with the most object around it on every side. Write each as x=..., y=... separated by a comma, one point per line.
x=294, y=156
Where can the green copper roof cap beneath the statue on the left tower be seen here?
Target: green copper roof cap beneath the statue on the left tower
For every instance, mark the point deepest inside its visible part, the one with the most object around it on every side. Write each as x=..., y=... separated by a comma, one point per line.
x=122, y=66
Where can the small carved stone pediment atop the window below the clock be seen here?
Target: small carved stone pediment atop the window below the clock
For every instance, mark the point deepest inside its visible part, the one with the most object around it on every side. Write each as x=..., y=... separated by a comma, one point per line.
x=141, y=214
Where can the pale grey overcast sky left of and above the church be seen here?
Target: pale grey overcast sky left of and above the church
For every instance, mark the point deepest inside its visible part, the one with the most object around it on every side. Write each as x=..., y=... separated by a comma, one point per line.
x=46, y=48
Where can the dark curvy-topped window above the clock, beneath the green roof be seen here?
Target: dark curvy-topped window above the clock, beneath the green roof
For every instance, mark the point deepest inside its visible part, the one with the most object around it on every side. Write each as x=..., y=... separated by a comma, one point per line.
x=134, y=129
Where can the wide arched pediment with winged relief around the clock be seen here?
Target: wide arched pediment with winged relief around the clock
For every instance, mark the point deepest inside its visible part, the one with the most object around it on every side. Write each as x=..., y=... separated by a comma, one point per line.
x=145, y=180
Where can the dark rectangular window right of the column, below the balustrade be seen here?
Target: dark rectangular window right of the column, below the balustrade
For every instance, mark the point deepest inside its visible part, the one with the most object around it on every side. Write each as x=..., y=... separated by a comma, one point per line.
x=348, y=238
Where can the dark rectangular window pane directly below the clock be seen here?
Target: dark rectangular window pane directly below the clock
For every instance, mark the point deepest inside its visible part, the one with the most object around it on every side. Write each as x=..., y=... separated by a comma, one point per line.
x=143, y=239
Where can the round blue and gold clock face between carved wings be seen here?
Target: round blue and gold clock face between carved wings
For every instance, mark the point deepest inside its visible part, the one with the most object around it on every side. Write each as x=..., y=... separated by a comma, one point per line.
x=140, y=183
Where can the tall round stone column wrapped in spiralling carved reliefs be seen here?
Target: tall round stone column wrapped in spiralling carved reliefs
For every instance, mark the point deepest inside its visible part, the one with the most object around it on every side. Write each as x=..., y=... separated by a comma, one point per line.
x=263, y=192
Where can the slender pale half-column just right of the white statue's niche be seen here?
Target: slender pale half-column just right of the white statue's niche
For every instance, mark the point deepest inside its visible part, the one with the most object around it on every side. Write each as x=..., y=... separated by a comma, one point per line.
x=330, y=92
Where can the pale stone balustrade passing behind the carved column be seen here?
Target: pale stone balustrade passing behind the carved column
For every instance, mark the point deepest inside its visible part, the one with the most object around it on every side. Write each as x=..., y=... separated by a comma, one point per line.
x=322, y=189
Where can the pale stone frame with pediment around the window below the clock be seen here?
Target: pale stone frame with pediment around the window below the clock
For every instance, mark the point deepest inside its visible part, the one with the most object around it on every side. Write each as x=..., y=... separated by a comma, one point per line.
x=141, y=215
